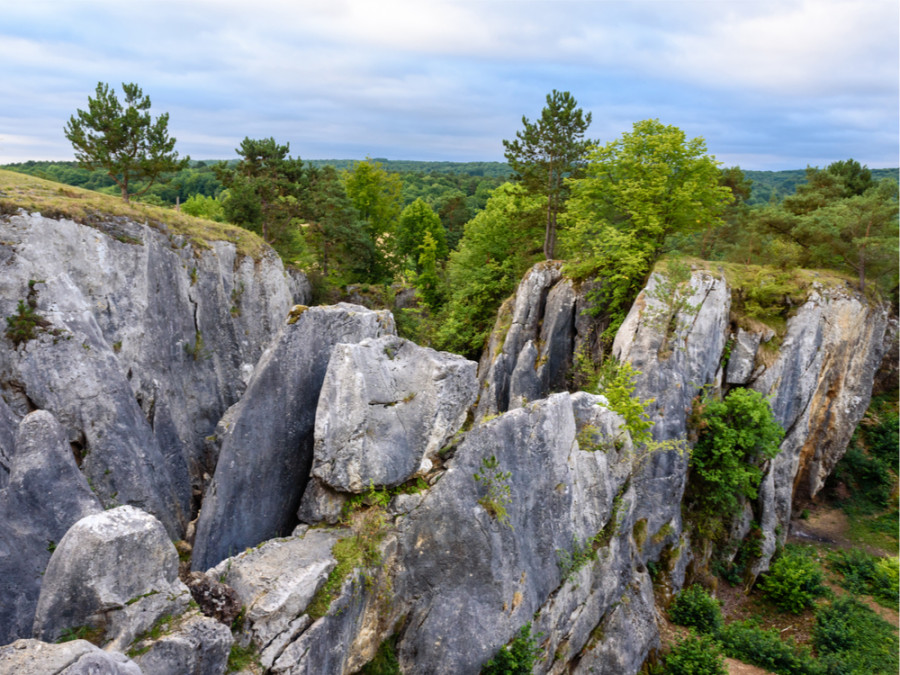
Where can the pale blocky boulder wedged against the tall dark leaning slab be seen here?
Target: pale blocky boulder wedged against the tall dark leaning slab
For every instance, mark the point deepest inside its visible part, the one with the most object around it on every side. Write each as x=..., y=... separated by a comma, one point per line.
x=387, y=406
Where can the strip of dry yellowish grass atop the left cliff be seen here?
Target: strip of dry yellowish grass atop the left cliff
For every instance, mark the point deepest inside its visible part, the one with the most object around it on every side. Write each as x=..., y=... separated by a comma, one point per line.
x=56, y=200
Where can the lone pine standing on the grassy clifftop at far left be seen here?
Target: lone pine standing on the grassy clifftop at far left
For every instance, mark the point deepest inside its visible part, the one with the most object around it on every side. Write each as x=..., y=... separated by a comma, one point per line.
x=123, y=141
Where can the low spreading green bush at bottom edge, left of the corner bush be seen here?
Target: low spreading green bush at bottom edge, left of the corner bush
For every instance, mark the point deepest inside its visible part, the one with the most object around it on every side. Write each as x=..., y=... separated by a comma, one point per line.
x=764, y=648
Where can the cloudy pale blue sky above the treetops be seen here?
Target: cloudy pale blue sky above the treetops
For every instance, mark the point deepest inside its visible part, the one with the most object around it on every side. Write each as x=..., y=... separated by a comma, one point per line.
x=768, y=85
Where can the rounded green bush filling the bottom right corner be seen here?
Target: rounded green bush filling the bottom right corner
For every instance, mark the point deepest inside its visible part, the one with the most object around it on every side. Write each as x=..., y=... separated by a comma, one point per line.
x=852, y=640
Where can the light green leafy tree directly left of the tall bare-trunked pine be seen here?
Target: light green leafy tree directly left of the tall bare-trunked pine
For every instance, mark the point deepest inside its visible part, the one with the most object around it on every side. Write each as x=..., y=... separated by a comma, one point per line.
x=498, y=246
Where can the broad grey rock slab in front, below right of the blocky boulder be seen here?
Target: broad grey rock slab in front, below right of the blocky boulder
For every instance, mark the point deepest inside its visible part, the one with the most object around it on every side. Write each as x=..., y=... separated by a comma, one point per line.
x=460, y=561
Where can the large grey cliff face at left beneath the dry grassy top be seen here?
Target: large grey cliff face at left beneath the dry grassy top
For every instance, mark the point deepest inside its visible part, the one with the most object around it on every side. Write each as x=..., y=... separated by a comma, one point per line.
x=147, y=342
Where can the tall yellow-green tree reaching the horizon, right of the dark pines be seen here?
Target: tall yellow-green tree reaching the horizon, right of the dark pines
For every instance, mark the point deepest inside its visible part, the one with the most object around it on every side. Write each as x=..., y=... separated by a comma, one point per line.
x=376, y=195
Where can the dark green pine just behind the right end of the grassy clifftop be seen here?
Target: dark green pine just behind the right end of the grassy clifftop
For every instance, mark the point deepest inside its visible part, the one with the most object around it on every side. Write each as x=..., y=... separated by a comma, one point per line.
x=265, y=189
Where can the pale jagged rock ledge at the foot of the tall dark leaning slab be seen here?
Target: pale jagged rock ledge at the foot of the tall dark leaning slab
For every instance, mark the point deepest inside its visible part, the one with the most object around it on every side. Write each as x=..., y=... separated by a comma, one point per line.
x=275, y=583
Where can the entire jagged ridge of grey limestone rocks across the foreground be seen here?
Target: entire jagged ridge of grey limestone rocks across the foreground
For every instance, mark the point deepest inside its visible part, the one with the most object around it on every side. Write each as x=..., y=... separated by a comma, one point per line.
x=540, y=514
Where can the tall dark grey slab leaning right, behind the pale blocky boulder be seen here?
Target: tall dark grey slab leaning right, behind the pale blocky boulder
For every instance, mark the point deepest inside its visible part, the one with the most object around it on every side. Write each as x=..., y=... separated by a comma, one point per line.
x=267, y=437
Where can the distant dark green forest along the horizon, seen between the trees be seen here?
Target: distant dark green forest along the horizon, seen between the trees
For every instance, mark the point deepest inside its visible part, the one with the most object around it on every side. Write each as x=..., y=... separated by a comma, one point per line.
x=435, y=182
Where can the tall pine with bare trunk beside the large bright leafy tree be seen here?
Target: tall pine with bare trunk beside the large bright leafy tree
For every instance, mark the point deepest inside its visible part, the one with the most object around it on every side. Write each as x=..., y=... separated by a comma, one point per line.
x=547, y=152
